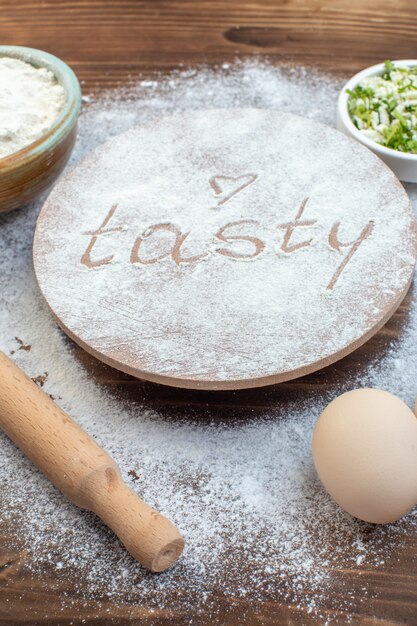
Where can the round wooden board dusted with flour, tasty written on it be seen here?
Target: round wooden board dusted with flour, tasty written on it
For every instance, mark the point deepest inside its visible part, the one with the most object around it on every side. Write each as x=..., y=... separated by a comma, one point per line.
x=225, y=249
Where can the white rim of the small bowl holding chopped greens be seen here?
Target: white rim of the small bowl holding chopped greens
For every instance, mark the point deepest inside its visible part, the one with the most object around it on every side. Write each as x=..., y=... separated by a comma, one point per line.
x=346, y=119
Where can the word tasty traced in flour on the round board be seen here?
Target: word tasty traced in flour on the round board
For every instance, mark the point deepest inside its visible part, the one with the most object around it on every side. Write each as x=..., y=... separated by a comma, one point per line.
x=226, y=235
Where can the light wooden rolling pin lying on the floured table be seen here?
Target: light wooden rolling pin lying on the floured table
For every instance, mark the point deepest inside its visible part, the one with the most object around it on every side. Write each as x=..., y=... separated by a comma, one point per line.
x=82, y=470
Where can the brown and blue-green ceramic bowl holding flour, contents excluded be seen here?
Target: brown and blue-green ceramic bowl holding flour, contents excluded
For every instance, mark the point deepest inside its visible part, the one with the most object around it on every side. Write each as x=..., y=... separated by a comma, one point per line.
x=27, y=173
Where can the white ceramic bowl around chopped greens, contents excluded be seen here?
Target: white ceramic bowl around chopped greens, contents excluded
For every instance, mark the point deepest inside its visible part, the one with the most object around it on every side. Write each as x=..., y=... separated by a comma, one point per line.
x=403, y=164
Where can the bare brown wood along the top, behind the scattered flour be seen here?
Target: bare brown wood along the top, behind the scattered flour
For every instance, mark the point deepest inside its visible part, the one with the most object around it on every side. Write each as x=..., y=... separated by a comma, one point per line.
x=106, y=42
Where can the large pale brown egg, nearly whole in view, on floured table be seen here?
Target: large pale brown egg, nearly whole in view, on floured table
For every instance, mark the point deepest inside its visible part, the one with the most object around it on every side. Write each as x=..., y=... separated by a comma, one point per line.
x=365, y=453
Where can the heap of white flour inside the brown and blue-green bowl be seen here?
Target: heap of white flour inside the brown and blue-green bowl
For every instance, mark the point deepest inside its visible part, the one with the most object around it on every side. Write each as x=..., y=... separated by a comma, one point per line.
x=30, y=101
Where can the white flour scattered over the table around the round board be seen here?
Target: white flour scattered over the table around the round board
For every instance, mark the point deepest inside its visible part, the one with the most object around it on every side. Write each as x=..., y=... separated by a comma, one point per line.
x=238, y=482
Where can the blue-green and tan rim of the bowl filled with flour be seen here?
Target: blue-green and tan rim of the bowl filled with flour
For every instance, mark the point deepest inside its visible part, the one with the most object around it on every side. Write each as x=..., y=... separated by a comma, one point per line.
x=67, y=116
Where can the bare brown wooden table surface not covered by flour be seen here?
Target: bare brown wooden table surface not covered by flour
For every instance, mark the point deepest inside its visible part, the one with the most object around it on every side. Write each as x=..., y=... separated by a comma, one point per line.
x=106, y=42
